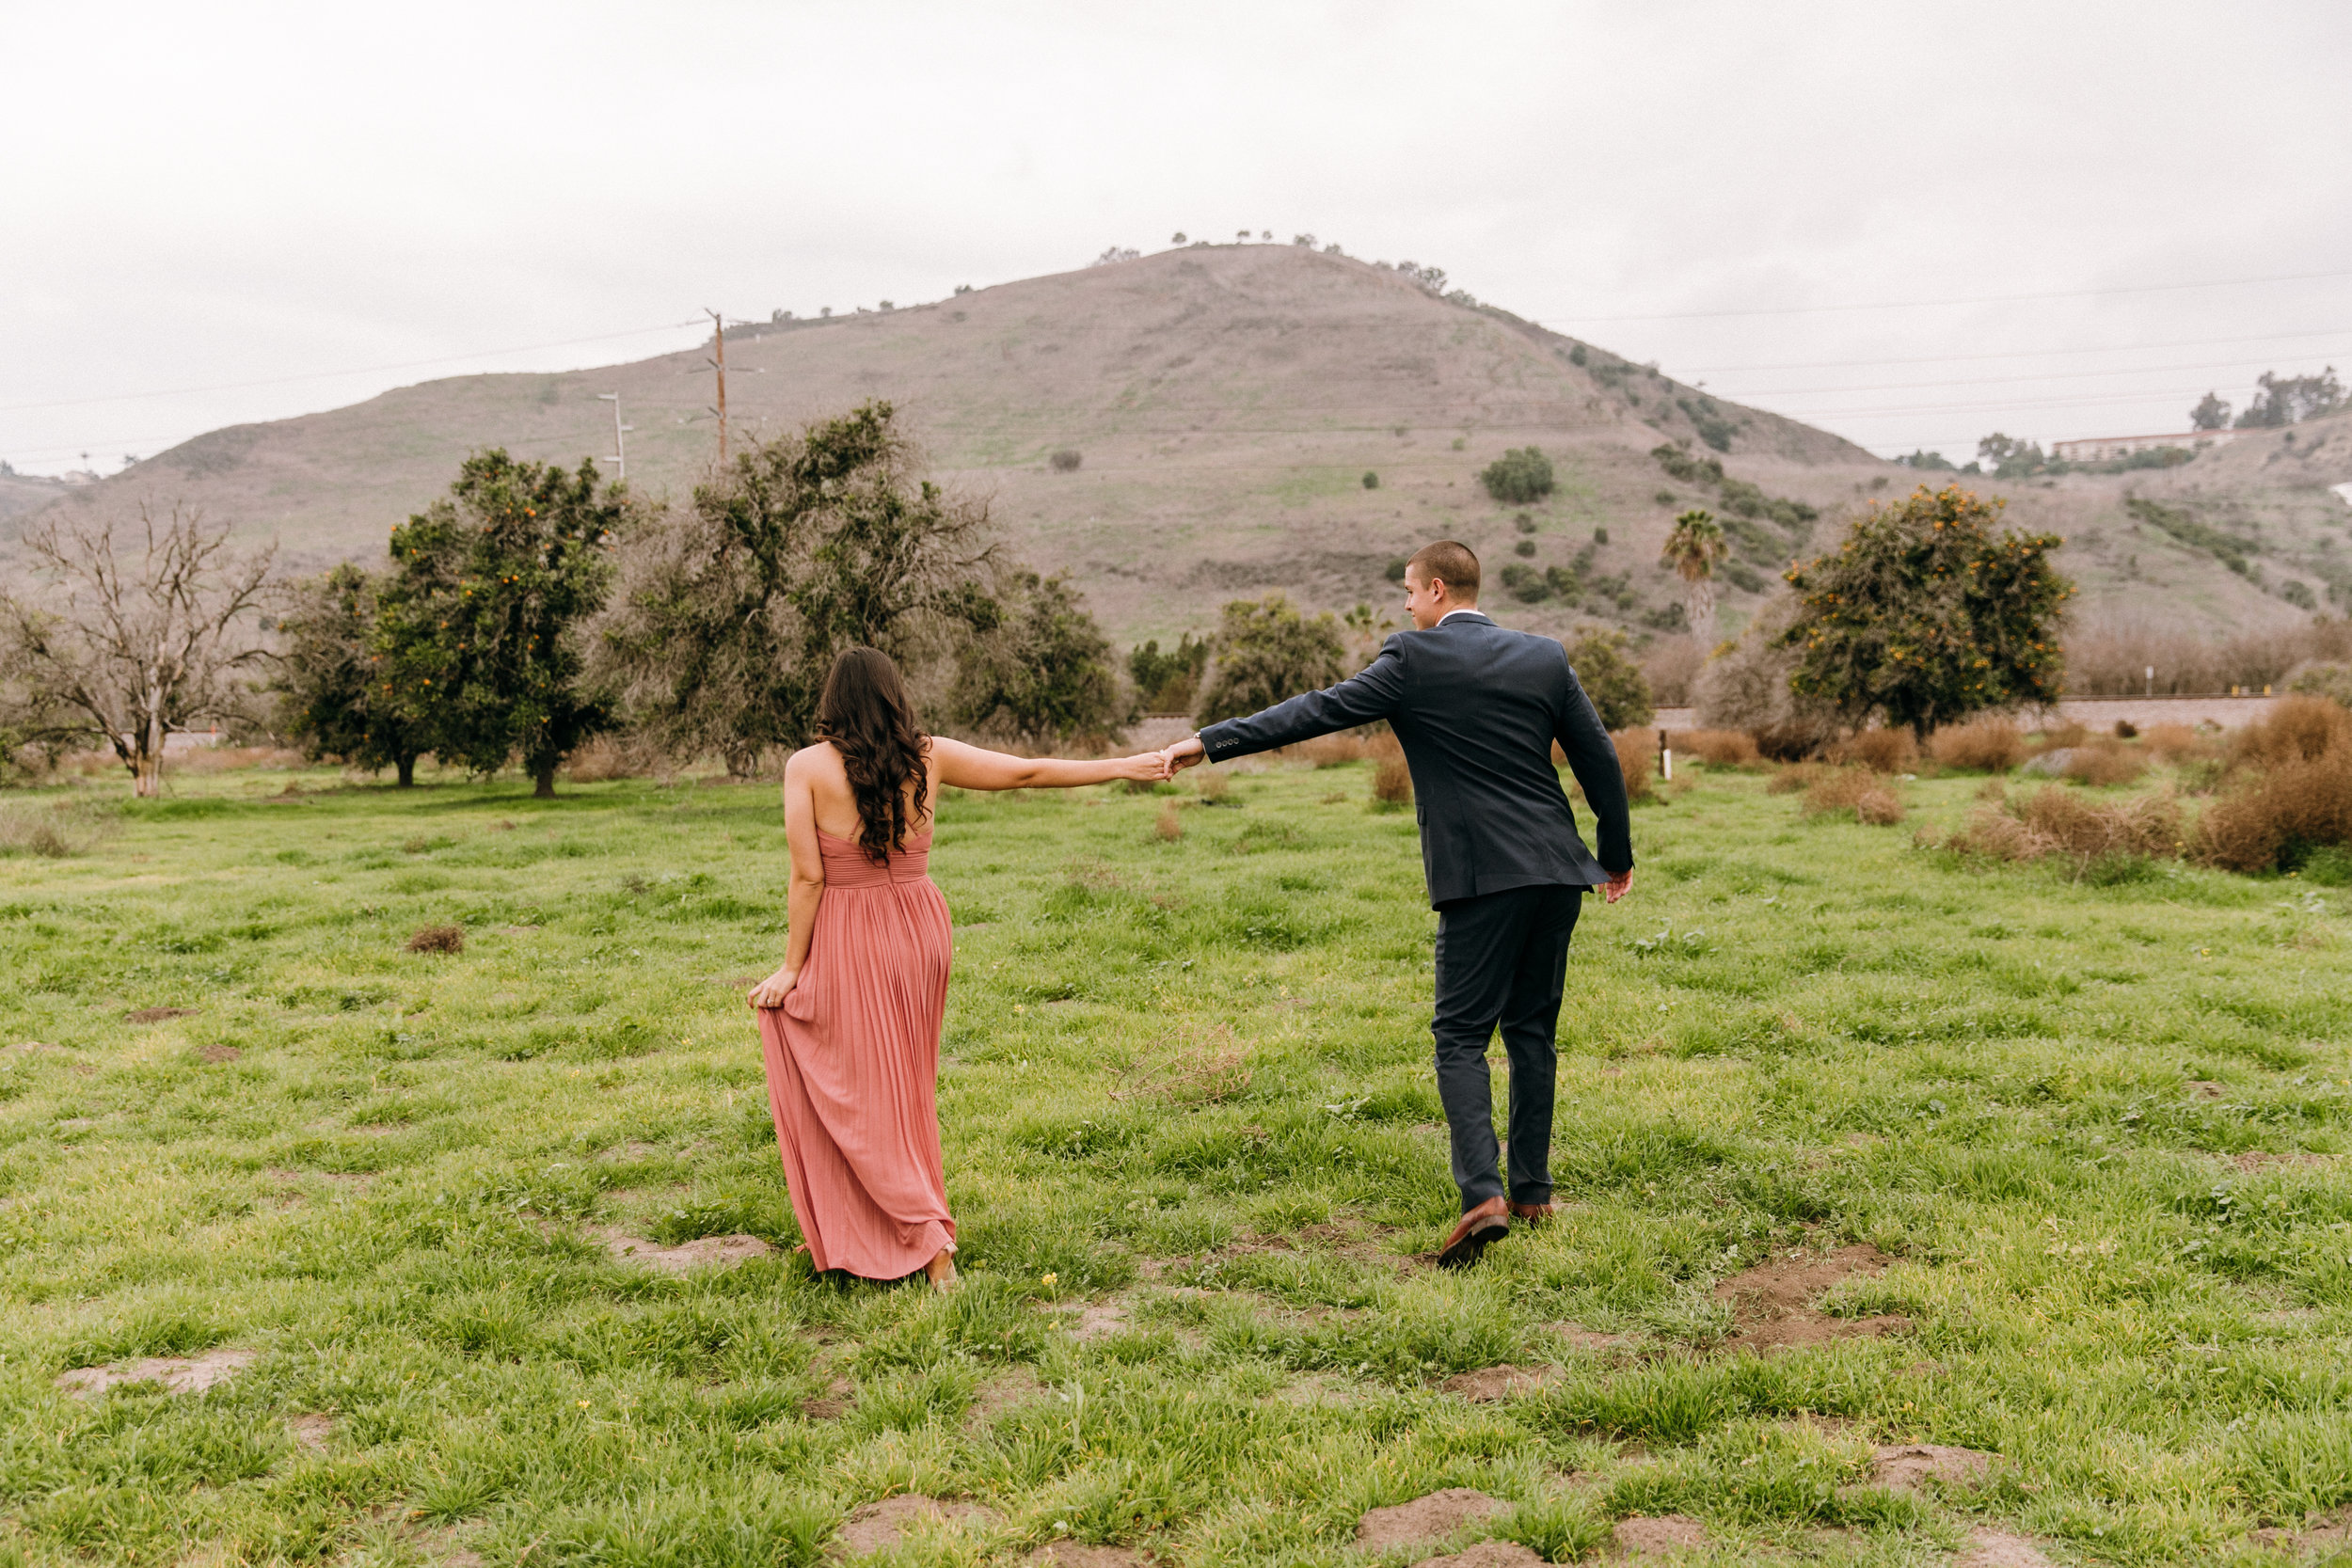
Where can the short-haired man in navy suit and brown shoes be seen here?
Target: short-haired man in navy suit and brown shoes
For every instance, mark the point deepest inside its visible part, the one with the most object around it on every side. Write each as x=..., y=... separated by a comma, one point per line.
x=1478, y=711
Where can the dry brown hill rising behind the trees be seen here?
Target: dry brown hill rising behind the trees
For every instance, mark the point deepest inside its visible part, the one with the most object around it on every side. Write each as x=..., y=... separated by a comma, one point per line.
x=1227, y=406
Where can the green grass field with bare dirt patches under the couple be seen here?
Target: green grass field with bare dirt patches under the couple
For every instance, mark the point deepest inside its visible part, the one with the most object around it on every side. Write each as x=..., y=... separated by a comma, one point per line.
x=1194, y=1148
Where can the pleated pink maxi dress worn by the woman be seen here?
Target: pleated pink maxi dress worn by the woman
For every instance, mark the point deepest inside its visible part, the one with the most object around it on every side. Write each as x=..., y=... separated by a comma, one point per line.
x=853, y=1066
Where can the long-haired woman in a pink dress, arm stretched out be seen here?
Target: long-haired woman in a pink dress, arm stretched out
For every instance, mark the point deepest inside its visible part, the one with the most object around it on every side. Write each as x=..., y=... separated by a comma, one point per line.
x=850, y=1024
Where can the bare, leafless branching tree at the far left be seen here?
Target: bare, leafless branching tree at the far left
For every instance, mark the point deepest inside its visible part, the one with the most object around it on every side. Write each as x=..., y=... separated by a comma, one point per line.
x=128, y=641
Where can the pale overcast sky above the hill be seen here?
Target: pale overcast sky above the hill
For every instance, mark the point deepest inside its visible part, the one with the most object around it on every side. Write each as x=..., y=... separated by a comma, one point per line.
x=239, y=213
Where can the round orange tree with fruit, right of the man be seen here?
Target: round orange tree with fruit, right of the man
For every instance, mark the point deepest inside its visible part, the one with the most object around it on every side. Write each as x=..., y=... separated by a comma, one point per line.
x=1930, y=615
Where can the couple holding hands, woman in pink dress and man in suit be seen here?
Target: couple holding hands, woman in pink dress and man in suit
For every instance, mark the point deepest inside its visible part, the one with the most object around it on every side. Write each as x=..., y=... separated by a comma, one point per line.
x=850, y=1024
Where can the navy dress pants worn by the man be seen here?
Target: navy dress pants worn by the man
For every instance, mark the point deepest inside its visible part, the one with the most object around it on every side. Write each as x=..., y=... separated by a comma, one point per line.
x=1502, y=960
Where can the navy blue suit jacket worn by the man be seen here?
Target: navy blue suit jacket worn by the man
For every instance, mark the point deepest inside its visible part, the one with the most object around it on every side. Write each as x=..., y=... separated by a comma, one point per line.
x=1478, y=711
